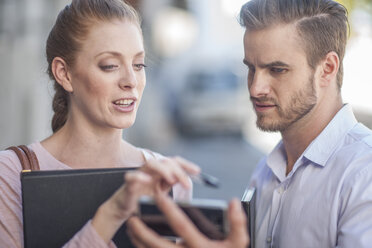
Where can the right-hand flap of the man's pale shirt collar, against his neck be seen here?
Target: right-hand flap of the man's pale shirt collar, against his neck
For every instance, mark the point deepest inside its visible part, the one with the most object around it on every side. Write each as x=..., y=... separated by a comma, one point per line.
x=323, y=146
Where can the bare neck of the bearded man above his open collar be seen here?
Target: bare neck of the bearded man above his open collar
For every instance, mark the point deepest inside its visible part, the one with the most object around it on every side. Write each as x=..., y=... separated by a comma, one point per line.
x=300, y=134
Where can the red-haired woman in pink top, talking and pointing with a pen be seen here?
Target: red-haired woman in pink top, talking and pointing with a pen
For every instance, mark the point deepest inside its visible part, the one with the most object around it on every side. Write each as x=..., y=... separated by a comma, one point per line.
x=96, y=58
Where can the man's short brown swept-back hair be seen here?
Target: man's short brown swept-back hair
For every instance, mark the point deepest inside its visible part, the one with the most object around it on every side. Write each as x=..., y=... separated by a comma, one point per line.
x=321, y=24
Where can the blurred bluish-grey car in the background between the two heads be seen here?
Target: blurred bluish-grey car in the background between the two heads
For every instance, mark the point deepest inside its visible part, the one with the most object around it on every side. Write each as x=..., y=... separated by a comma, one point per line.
x=212, y=102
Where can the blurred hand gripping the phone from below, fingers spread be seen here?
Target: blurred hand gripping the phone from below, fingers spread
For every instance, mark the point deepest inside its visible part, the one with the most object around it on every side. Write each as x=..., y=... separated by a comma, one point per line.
x=142, y=236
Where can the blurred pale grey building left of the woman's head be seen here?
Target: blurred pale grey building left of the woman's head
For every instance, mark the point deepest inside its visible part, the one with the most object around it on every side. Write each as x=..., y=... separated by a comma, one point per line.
x=25, y=109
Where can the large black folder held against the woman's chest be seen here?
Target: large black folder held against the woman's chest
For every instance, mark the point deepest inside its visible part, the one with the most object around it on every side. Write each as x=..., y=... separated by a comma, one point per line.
x=57, y=204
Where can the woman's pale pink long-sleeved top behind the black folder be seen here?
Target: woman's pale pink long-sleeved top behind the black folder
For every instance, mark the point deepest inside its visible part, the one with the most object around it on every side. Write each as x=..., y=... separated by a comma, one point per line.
x=11, y=226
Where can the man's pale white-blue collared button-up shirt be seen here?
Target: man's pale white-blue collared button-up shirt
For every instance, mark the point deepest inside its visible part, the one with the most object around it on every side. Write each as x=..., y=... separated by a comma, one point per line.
x=326, y=200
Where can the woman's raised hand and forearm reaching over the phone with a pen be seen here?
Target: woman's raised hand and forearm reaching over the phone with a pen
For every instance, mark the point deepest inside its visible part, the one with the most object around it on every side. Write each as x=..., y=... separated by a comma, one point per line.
x=155, y=176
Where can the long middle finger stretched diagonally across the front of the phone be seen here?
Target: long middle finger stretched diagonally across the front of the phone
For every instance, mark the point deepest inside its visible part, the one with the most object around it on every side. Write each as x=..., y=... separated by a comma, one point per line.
x=179, y=222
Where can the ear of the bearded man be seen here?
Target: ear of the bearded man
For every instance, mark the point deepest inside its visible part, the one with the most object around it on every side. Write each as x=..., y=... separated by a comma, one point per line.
x=329, y=67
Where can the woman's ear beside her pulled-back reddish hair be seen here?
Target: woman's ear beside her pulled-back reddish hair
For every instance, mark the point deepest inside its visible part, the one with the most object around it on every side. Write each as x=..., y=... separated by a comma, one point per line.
x=62, y=74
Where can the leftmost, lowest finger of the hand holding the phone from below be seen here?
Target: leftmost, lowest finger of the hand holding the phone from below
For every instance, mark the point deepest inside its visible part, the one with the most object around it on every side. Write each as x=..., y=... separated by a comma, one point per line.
x=143, y=236
